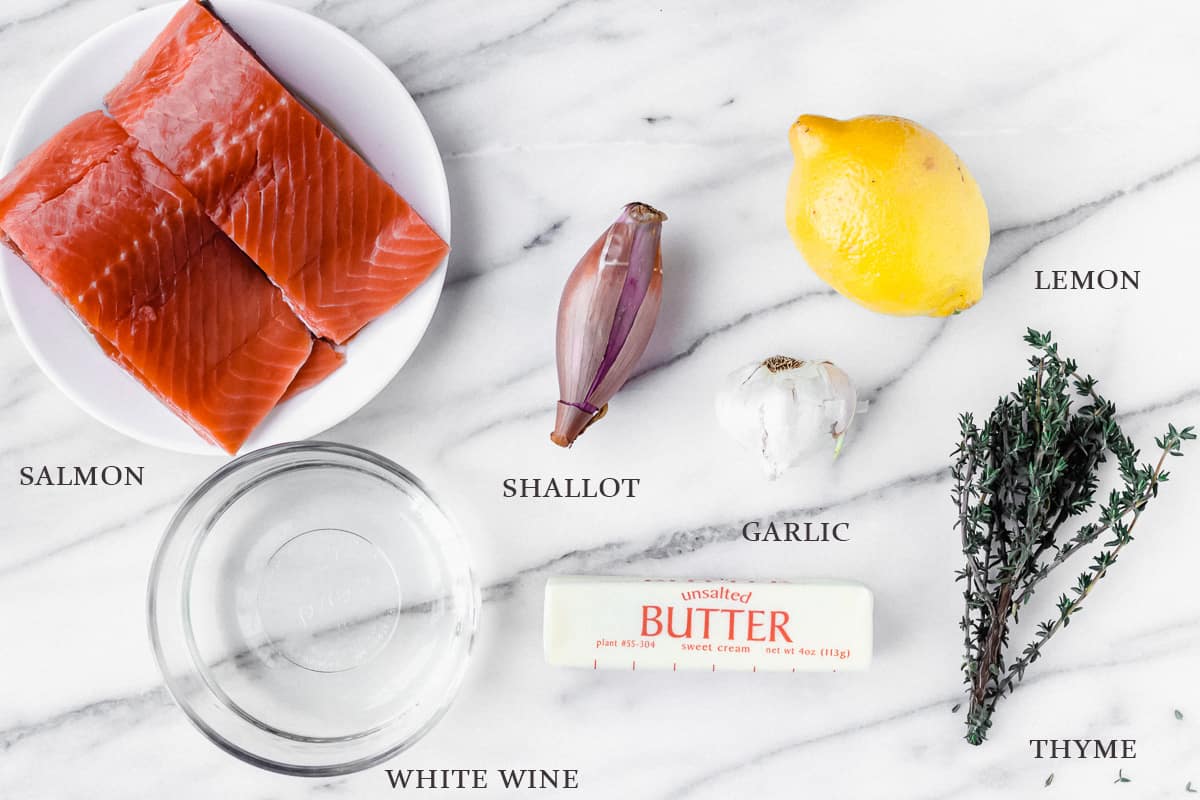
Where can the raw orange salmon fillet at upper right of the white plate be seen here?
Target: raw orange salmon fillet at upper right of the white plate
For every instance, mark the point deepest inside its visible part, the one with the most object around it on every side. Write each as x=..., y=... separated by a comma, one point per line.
x=341, y=244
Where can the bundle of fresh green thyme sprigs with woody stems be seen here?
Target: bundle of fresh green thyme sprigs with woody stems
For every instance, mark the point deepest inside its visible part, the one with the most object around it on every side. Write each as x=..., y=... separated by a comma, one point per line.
x=1018, y=480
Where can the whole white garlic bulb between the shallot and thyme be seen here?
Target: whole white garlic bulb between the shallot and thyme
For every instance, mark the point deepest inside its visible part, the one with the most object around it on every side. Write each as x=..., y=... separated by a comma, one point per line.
x=785, y=410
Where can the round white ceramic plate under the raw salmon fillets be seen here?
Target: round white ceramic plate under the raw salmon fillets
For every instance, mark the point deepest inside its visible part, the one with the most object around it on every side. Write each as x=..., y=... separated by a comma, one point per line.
x=364, y=103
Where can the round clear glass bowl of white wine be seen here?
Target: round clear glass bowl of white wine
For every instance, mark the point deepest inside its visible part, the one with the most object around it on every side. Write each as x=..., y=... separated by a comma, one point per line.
x=313, y=609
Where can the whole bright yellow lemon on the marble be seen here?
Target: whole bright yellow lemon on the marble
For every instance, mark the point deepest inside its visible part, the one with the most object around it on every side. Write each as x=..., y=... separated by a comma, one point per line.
x=886, y=214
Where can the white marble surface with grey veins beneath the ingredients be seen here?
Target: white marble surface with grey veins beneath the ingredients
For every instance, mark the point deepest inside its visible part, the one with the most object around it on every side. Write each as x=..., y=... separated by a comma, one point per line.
x=1082, y=124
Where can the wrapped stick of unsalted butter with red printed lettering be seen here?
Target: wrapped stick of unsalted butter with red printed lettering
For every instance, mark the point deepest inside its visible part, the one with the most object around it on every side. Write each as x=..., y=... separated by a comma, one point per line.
x=712, y=625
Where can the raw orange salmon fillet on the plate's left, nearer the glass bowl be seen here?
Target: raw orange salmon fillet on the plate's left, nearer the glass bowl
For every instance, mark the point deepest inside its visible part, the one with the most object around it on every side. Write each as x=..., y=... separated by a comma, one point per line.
x=167, y=296
